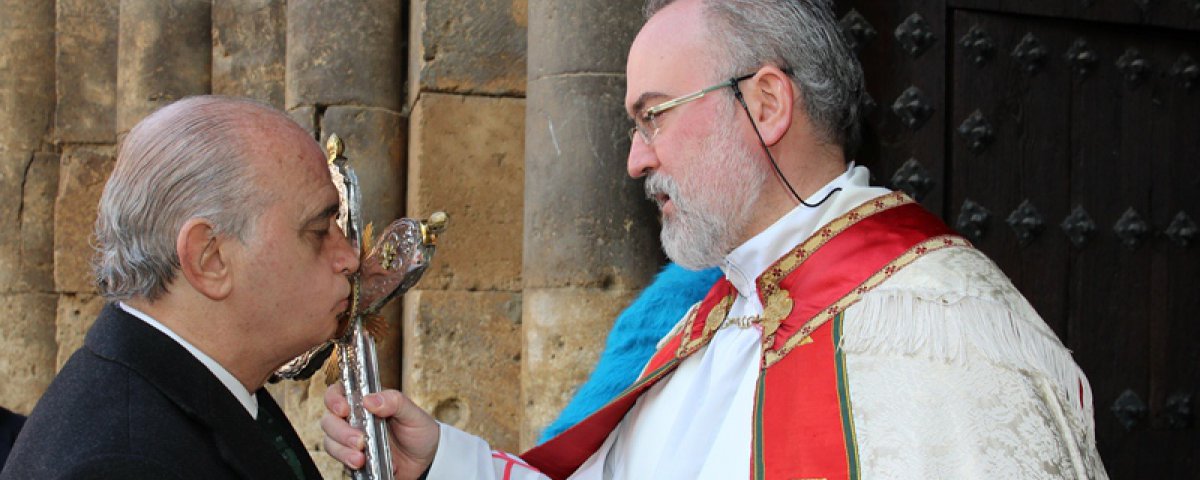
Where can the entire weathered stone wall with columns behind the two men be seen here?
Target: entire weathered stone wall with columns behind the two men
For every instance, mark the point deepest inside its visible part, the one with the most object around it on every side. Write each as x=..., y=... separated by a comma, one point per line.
x=430, y=98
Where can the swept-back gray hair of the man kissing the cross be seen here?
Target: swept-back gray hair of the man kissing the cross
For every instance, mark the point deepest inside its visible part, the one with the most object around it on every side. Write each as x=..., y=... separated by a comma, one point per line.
x=185, y=161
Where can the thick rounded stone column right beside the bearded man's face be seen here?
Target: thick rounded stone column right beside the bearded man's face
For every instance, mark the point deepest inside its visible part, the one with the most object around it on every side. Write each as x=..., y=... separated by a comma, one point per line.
x=591, y=239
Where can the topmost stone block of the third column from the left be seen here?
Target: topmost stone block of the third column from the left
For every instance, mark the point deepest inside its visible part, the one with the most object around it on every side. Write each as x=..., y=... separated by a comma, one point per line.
x=165, y=55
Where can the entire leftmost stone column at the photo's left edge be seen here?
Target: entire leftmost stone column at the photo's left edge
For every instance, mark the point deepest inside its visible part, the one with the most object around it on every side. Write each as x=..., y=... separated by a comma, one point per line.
x=28, y=182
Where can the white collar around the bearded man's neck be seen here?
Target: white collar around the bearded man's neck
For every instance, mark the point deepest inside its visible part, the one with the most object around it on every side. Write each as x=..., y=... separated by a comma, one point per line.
x=746, y=263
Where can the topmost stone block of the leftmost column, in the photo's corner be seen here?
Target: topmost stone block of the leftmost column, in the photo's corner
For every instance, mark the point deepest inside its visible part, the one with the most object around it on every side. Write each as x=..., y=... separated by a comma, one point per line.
x=27, y=74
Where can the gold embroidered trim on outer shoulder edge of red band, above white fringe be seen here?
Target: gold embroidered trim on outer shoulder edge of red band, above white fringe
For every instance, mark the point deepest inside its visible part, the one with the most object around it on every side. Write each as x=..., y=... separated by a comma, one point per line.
x=802, y=335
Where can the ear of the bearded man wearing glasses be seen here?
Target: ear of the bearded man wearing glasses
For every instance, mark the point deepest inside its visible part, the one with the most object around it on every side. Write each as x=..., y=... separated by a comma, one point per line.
x=771, y=97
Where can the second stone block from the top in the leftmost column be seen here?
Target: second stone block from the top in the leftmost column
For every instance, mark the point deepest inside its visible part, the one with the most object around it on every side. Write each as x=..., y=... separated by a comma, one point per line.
x=28, y=184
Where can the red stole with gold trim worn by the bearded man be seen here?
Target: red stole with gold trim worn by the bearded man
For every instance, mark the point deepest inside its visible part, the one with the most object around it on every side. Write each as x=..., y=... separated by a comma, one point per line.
x=803, y=419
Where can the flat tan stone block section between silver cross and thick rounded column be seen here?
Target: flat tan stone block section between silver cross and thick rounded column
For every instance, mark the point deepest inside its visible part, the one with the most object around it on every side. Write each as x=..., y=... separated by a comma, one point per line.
x=463, y=323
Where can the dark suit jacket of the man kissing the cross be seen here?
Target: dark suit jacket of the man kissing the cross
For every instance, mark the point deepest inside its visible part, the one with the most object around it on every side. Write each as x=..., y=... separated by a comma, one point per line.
x=135, y=405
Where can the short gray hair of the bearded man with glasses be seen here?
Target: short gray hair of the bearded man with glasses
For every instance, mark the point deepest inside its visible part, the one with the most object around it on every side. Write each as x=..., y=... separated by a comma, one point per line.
x=801, y=37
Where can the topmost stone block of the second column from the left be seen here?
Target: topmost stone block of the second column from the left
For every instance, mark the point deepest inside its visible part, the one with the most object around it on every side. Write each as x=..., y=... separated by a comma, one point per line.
x=87, y=71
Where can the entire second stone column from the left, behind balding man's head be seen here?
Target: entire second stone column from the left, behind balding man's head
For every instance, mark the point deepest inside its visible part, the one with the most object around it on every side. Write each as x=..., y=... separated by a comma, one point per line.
x=86, y=134
